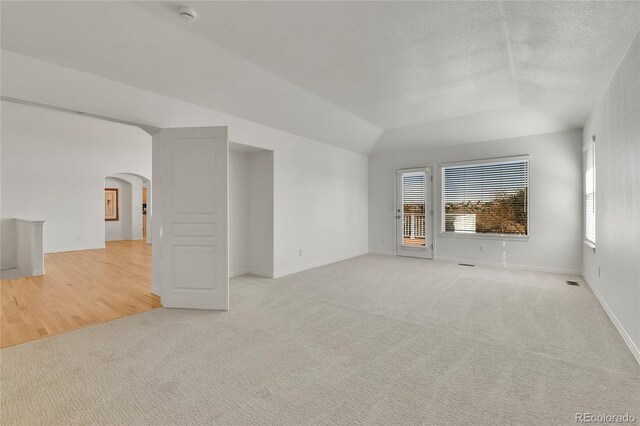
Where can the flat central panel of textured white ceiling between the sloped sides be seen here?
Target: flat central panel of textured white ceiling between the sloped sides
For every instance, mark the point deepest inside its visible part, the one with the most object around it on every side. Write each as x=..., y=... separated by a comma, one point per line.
x=392, y=63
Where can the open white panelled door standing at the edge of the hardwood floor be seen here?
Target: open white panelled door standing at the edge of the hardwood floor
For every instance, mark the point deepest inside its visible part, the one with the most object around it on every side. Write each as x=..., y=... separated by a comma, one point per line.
x=190, y=220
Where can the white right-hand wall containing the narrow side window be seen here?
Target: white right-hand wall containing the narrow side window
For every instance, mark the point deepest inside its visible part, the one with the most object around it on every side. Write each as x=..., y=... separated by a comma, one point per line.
x=616, y=124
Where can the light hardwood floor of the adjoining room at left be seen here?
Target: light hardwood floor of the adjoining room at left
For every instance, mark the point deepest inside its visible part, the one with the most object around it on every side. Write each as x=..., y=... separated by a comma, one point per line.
x=80, y=288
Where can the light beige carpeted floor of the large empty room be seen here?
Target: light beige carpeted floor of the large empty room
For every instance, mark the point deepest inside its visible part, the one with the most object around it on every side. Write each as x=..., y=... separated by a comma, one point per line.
x=371, y=340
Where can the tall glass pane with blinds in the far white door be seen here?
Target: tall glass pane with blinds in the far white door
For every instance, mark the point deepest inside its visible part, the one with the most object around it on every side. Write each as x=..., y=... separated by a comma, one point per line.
x=414, y=186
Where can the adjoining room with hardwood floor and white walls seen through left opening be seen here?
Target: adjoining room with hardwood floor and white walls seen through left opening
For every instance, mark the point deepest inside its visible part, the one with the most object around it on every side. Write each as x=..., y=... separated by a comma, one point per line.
x=55, y=168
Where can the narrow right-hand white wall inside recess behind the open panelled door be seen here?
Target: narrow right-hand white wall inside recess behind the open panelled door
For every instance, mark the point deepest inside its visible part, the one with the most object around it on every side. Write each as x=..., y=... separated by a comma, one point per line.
x=261, y=242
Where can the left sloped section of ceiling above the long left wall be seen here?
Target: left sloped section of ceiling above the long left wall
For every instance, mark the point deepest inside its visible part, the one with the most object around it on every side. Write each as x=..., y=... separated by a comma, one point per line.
x=122, y=42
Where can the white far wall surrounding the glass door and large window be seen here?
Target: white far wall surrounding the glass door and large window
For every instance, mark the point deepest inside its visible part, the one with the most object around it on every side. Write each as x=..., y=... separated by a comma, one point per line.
x=555, y=202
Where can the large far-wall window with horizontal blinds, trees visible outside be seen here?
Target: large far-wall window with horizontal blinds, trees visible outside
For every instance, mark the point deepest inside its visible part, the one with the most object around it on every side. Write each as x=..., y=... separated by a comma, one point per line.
x=487, y=197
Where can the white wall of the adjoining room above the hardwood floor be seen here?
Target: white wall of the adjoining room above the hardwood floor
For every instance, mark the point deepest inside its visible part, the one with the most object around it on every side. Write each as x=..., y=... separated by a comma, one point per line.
x=53, y=168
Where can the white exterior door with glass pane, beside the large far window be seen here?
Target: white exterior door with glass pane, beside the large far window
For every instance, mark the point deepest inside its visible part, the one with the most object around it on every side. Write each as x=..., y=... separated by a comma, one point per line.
x=414, y=213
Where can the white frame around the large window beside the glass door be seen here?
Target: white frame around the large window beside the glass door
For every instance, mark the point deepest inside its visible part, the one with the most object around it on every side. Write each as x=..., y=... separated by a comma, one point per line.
x=481, y=235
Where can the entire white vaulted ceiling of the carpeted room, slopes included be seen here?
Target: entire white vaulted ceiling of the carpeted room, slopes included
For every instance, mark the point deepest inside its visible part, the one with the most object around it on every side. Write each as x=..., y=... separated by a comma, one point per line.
x=419, y=70
